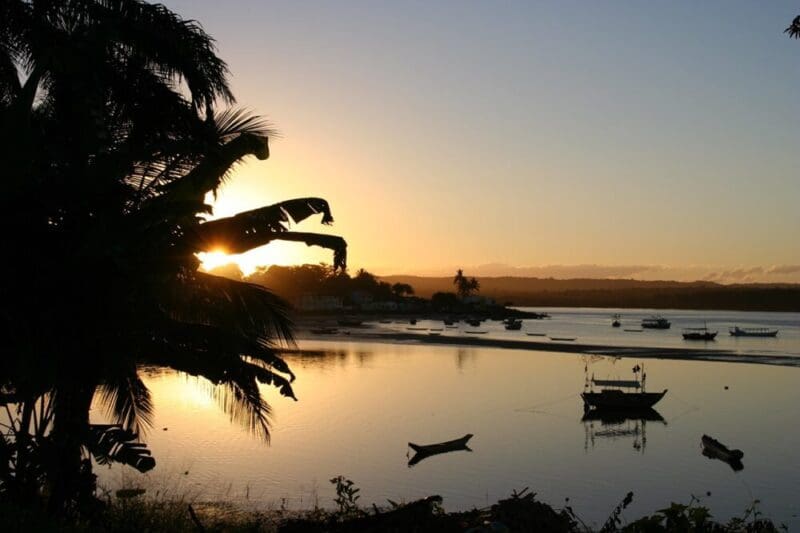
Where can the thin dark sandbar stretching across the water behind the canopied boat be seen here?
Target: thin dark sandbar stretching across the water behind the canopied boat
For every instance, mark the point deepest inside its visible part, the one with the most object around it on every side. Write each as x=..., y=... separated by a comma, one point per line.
x=678, y=354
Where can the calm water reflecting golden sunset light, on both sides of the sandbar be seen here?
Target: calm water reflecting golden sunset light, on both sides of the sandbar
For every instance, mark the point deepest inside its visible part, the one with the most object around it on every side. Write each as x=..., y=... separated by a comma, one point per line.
x=360, y=403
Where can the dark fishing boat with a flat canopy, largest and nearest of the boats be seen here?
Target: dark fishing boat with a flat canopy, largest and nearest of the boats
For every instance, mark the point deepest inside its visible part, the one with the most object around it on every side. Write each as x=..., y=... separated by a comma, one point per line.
x=620, y=393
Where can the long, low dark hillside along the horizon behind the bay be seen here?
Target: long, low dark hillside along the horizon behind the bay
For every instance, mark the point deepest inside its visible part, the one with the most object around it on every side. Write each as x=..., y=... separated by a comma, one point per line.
x=620, y=293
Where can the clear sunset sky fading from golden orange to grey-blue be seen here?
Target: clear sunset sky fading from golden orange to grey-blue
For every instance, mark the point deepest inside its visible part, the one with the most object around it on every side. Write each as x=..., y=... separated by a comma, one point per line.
x=659, y=138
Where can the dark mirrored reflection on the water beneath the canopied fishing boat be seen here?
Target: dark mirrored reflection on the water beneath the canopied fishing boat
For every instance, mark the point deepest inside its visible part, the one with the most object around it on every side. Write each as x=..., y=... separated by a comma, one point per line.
x=614, y=424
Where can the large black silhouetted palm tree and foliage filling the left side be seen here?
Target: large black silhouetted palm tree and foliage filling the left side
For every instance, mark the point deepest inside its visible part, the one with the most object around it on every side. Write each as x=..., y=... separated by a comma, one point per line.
x=116, y=120
